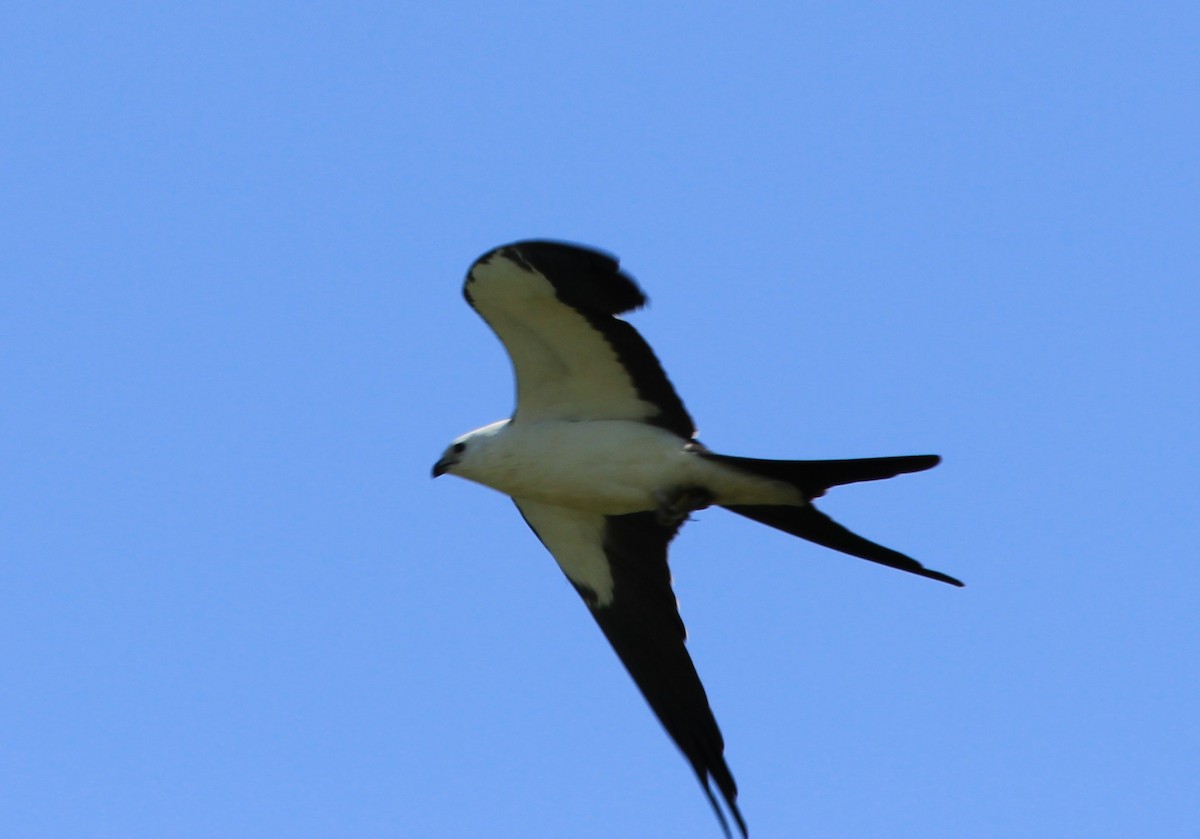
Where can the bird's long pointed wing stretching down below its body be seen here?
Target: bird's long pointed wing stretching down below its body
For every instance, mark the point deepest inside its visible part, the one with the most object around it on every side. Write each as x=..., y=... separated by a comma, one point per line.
x=619, y=565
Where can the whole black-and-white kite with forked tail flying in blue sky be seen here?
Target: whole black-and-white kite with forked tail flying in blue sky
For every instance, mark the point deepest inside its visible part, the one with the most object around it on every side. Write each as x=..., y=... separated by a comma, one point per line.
x=602, y=460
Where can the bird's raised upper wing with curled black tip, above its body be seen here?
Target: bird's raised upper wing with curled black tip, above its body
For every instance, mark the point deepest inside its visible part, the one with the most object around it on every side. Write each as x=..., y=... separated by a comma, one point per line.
x=554, y=308
